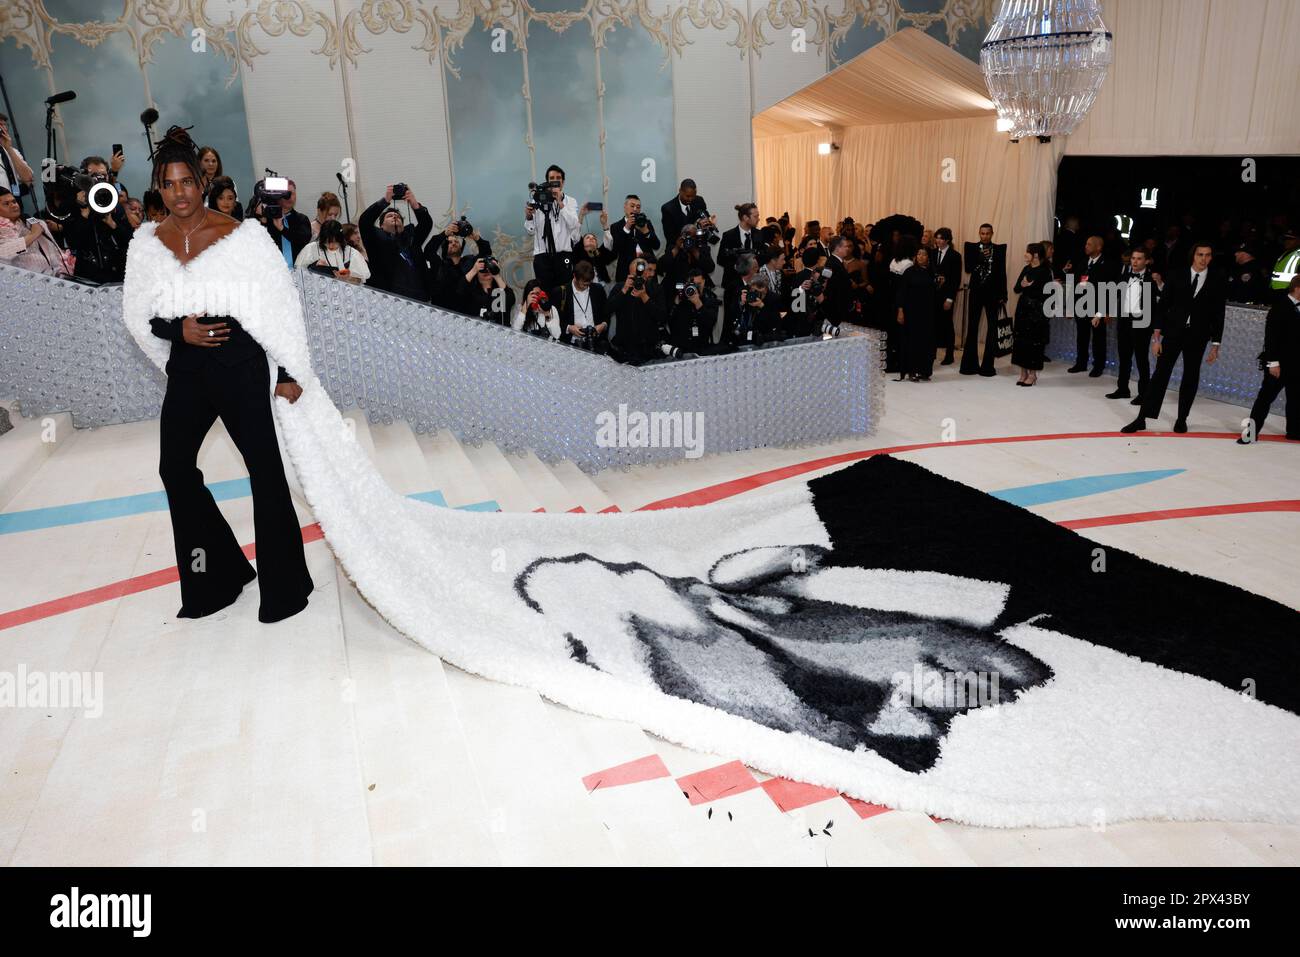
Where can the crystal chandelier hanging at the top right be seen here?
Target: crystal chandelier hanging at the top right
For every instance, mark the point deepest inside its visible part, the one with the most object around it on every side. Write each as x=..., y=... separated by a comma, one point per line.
x=1045, y=63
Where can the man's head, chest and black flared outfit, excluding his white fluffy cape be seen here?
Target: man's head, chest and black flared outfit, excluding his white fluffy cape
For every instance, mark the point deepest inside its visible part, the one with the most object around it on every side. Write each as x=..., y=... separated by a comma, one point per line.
x=219, y=370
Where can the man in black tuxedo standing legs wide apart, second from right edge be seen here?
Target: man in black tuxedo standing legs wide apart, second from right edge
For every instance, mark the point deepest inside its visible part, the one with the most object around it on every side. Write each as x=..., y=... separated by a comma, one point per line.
x=1194, y=298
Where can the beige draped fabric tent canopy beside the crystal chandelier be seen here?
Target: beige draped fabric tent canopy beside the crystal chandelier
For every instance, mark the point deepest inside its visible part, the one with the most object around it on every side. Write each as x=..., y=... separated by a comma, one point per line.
x=917, y=136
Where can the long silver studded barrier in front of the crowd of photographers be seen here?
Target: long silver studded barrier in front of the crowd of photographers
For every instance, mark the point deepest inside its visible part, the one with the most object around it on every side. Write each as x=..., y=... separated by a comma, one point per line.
x=63, y=348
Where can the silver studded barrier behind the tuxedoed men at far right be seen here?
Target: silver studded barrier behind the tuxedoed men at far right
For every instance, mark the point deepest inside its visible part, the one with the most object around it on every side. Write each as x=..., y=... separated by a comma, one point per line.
x=1236, y=378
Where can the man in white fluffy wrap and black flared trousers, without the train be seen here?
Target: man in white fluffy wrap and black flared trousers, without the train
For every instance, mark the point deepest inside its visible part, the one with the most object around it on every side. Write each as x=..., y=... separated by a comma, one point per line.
x=188, y=278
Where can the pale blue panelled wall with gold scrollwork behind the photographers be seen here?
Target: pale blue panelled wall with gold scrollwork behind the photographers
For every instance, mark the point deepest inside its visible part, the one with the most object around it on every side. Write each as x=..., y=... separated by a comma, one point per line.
x=465, y=101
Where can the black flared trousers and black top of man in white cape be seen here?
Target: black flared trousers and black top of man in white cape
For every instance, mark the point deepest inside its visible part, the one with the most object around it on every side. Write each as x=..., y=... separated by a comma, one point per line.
x=232, y=382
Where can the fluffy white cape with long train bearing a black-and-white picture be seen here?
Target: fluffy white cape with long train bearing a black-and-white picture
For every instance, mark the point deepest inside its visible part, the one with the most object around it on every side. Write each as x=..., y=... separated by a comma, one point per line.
x=801, y=633
